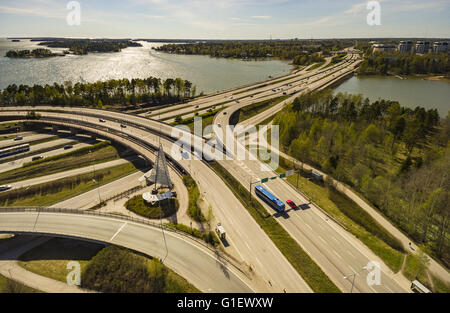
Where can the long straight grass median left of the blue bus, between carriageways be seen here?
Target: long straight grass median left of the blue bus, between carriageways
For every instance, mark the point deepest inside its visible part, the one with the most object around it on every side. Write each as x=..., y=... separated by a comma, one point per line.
x=300, y=260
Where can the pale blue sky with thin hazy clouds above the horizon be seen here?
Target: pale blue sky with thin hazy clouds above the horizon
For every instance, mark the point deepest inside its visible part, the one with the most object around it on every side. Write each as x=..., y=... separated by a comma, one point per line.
x=225, y=19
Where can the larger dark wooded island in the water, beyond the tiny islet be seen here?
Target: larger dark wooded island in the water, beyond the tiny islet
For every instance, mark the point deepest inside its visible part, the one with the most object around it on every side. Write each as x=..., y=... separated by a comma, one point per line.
x=84, y=46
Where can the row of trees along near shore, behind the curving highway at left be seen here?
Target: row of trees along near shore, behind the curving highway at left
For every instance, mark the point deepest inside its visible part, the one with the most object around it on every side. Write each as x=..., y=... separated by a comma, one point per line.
x=111, y=93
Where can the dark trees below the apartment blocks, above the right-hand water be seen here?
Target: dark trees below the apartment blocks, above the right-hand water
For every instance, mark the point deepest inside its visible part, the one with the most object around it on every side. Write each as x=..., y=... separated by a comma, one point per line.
x=381, y=63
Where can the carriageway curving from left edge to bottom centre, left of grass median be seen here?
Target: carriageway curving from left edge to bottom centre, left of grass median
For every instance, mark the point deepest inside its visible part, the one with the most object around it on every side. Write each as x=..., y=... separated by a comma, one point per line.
x=253, y=246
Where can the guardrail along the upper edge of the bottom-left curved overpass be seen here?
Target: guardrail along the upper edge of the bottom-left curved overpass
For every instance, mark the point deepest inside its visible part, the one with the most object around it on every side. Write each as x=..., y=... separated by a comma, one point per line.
x=216, y=252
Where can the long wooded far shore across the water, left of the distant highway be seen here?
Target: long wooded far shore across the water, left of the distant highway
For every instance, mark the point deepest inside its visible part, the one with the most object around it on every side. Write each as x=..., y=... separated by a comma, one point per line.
x=283, y=49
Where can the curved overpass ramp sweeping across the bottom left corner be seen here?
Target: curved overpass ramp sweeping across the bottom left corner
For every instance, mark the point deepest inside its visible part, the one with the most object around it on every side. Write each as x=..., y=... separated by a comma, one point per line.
x=202, y=268
